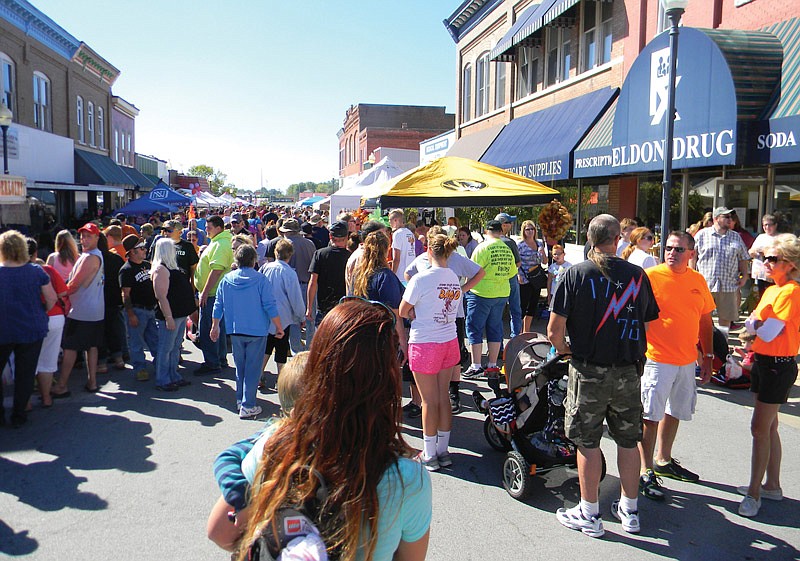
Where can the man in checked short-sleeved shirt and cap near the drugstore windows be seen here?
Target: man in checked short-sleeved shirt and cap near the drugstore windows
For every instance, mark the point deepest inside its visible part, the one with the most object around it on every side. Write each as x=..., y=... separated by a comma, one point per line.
x=722, y=259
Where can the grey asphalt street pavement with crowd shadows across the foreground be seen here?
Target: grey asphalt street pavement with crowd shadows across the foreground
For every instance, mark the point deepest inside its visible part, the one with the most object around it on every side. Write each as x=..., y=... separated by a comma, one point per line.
x=126, y=474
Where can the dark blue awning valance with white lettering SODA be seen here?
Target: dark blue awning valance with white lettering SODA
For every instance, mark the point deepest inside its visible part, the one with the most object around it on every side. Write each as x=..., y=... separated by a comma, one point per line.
x=775, y=141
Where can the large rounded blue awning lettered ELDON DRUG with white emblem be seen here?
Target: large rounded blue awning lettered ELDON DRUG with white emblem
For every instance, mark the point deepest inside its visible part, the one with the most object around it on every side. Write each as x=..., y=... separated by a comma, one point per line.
x=725, y=79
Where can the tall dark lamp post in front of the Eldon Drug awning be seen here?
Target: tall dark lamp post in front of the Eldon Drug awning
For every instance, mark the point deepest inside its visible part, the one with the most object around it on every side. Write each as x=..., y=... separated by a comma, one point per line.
x=674, y=10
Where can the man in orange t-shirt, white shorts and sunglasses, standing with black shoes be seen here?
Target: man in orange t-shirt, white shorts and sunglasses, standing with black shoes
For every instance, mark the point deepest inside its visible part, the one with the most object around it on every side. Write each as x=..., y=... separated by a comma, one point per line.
x=669, y=392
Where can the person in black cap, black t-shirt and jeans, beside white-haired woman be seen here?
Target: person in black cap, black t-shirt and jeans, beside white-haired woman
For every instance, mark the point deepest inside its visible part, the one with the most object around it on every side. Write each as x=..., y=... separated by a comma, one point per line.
x=139, y=301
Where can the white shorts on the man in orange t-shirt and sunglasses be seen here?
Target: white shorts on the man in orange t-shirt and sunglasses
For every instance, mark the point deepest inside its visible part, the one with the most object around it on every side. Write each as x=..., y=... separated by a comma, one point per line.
x=670, y=389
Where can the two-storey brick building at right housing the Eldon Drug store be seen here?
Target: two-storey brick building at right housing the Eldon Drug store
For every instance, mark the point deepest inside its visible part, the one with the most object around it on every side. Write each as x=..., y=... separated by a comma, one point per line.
x=541, y=82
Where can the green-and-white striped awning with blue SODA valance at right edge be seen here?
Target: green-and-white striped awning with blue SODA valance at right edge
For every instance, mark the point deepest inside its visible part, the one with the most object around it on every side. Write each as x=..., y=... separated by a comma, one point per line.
x=776, y=138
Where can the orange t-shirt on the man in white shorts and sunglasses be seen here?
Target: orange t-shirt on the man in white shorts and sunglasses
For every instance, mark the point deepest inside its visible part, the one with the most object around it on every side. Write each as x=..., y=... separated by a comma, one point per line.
x=682, y=298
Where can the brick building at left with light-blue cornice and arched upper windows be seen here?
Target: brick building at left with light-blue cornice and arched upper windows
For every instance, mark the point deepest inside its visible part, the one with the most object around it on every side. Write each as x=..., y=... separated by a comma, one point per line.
x=60, y=141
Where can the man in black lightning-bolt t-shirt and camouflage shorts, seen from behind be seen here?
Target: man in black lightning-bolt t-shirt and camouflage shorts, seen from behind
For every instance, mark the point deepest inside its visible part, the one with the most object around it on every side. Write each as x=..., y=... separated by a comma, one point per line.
x=605, y=304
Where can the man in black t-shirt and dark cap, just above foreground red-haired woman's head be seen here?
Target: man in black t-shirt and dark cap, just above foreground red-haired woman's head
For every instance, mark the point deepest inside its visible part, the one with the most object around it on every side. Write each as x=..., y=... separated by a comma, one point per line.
x=327, y=273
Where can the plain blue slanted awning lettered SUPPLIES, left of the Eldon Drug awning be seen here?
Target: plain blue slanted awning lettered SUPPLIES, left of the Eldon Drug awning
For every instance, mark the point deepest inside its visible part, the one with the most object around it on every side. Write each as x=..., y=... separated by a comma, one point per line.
x=540, y=145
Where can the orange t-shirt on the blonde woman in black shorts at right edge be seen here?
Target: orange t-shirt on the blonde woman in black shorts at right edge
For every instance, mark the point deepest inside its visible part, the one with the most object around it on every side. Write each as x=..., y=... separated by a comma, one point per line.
x=782, y=303
